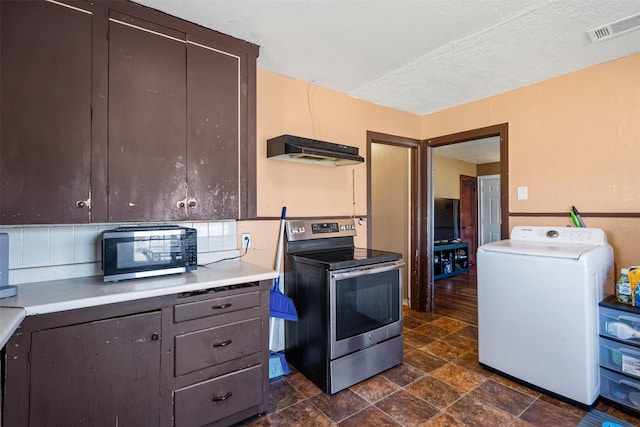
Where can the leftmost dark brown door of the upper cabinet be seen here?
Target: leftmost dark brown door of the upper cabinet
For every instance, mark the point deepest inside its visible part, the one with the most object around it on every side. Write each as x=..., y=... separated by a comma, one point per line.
x=45, y=140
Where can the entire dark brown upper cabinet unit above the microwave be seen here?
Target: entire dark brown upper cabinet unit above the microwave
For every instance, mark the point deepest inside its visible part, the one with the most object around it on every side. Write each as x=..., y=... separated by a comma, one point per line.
x=150, y=118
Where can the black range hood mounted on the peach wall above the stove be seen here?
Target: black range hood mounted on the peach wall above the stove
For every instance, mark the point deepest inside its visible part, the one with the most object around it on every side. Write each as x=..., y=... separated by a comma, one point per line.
x=298, y=149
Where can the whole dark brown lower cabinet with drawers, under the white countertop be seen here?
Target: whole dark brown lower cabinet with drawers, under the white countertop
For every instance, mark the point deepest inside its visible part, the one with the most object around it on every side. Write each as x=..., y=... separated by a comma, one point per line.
x=191, y=359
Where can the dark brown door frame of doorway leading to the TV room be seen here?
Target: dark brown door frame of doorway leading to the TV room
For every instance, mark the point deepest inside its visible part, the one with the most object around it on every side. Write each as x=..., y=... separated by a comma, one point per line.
x=500, y=130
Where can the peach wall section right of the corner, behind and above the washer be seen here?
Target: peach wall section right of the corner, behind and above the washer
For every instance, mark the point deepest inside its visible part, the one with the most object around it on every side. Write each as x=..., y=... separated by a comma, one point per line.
x=573, y=140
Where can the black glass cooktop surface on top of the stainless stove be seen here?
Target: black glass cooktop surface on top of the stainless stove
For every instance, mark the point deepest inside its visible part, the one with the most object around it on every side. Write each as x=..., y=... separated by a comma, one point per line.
x=346, y=257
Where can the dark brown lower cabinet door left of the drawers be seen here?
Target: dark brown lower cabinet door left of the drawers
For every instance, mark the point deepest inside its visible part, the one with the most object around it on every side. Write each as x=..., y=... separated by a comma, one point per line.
x=99, y=373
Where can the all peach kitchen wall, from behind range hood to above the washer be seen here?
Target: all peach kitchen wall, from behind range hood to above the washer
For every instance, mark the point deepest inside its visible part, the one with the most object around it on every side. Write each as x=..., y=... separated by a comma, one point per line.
x=573, y=140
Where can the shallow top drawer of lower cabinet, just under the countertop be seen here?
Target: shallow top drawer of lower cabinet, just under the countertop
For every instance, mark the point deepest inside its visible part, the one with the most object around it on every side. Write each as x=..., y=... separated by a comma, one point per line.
x=213, y=306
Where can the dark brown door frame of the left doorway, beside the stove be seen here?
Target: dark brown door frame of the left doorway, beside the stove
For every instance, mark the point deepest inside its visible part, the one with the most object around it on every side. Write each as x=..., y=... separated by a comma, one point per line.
x=417, y=264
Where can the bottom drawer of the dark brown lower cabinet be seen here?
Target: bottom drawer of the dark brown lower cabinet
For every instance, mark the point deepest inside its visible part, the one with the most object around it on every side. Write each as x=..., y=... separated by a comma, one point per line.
x=215, y=399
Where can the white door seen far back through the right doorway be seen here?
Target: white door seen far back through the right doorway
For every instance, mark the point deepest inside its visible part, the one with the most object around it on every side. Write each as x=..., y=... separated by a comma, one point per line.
x=489, y=209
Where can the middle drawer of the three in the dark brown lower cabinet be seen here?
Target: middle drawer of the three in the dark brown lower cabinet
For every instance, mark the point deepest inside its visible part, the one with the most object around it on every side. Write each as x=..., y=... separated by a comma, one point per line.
x=208, y=347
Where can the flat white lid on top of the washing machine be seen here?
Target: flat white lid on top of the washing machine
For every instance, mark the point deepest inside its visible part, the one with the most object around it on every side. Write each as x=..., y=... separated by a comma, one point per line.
x=540, y=249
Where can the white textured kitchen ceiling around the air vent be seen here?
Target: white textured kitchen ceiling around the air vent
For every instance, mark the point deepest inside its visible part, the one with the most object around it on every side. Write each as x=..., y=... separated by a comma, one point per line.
x=418, y=56
